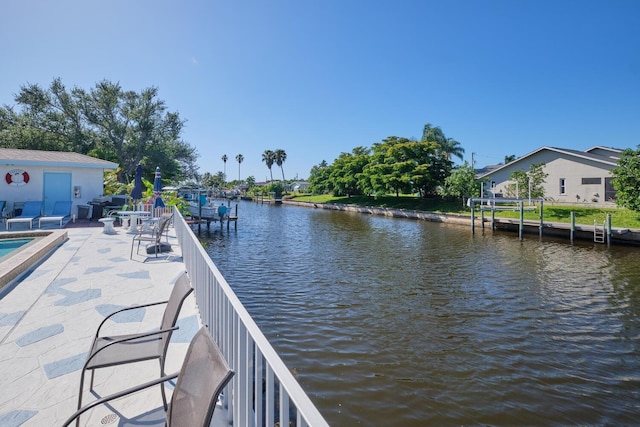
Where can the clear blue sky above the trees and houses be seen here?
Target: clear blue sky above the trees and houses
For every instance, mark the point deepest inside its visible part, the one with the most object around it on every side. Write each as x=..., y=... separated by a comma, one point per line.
x=320, y=77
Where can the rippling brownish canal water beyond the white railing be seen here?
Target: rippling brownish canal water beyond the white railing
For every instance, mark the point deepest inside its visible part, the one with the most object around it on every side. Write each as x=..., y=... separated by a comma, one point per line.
x=406, y=323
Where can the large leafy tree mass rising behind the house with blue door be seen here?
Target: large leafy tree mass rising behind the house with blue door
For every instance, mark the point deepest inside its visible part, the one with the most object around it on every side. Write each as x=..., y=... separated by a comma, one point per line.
x=107, y=122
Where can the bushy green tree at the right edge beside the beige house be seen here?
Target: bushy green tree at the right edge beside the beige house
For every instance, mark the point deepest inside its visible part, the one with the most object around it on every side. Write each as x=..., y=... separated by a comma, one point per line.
x=626, y=179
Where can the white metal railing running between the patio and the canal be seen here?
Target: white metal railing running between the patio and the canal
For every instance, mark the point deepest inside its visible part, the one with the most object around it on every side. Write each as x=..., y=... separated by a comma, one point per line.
x=263, y=392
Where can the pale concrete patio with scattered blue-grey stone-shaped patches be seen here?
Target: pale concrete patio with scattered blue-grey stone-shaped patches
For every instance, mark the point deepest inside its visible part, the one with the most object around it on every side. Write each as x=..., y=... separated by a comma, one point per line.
x=48, y=319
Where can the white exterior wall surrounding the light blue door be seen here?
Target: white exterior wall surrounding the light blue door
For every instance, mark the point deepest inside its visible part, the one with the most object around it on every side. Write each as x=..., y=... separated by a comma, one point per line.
x=90, y=180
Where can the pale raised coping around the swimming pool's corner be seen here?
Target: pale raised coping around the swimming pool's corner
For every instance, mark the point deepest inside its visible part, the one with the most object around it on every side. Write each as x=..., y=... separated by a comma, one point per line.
x=27, y=257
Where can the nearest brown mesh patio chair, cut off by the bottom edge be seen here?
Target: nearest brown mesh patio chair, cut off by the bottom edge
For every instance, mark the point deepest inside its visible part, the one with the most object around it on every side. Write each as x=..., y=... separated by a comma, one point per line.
x=203, y=376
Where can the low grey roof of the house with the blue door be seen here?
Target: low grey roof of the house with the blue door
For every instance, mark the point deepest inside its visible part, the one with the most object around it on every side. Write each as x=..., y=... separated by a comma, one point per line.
x=19, y=157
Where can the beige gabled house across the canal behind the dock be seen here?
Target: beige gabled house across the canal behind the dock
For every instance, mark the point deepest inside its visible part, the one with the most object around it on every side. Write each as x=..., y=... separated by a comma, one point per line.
x=573, y=176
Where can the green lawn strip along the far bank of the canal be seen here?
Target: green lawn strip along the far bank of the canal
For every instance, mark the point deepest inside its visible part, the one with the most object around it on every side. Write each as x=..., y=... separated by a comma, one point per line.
x=620, y=218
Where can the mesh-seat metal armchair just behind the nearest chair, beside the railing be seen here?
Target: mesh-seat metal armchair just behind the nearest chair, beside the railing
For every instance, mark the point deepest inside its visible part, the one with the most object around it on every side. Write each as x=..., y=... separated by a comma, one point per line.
x=117, y=350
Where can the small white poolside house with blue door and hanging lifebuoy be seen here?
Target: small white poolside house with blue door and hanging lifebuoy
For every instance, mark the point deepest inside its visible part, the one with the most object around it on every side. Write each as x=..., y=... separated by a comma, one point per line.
x=50, y=176
